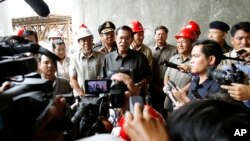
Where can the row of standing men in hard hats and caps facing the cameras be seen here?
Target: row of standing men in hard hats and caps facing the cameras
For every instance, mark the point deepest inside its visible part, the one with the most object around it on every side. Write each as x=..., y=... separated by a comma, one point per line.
x=122, y=50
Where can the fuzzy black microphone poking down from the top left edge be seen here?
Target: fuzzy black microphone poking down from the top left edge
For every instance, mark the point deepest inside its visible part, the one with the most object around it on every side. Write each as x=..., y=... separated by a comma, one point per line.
x=39, y=6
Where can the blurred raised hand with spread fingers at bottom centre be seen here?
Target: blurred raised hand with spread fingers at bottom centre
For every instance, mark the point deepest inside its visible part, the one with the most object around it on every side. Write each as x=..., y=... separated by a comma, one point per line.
x=143, y=127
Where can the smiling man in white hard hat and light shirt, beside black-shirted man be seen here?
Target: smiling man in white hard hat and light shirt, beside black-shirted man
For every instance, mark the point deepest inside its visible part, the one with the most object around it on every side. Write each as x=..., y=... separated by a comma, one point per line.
x=86, y=63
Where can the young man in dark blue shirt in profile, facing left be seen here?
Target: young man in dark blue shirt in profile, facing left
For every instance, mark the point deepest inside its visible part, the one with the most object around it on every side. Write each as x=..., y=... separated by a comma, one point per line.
x=205, y=54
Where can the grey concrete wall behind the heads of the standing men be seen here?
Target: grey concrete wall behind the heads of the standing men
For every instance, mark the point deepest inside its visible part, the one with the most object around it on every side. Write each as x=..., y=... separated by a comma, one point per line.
x=170, y=13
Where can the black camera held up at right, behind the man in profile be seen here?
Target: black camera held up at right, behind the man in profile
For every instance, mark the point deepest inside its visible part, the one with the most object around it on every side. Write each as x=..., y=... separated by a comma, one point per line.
x=226, y=77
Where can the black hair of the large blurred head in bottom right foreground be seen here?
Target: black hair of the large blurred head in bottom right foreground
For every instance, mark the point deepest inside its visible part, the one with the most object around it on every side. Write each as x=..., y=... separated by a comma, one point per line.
x=208, y=120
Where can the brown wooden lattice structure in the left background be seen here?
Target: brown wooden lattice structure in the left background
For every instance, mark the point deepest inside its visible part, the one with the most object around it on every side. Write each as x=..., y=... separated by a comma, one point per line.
x=44, y=25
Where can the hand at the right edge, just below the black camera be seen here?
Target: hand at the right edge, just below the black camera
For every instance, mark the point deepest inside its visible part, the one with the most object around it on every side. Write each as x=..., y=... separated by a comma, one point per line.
x=237, y=91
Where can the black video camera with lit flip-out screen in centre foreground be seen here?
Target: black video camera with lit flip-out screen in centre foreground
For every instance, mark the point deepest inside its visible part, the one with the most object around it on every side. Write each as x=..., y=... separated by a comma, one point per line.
x=101, y=95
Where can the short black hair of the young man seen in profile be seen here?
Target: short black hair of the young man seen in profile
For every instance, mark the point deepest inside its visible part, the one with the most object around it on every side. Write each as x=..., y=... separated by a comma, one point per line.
x=211, y=48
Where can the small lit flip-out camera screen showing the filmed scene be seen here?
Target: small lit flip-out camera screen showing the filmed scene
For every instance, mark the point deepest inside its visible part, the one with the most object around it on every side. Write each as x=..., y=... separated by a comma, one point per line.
x=97, y=86
